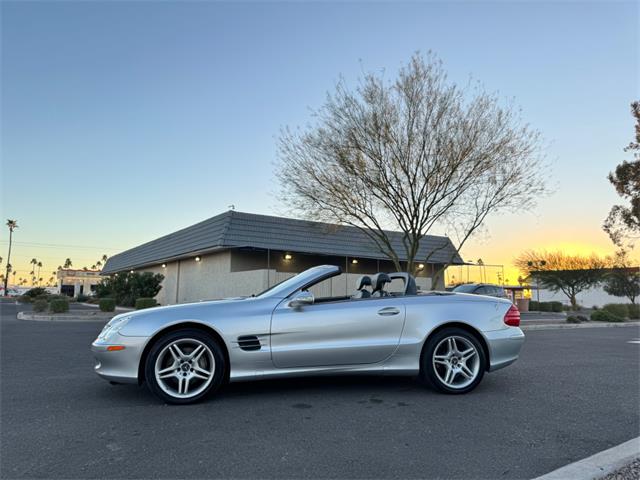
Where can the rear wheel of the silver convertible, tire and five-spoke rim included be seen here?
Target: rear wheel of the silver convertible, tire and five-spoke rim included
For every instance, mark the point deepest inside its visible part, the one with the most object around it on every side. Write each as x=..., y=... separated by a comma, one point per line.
x=453, y=361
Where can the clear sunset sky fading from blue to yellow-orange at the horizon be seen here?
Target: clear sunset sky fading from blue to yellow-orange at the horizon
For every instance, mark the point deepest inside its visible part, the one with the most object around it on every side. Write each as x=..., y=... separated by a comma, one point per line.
x=124, y=121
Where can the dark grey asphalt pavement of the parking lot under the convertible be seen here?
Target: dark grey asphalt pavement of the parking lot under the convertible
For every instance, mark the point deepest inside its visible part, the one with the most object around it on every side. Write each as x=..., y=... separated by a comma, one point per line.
x=573, y=393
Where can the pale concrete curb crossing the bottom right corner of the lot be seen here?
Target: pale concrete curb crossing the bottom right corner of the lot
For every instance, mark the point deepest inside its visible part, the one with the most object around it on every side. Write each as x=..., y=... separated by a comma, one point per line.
x=598, y=465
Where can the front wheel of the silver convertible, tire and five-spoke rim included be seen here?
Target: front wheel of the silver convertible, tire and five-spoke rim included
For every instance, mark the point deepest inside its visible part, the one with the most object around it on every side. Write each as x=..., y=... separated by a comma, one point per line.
x=183, y=366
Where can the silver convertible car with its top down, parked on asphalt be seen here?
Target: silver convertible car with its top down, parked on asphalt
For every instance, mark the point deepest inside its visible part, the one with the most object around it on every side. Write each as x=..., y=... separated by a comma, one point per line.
x=184, y=352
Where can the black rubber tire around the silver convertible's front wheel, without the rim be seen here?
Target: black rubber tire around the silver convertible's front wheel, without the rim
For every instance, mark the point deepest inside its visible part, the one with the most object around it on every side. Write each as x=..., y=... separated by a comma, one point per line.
x=185, y=335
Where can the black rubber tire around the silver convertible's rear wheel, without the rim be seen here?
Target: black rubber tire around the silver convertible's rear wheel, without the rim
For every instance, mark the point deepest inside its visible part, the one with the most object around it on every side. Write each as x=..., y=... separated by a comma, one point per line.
x=432, y=377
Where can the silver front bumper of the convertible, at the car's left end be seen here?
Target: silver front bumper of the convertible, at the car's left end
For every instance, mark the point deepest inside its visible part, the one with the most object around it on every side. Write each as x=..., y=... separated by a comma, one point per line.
x=119, y=366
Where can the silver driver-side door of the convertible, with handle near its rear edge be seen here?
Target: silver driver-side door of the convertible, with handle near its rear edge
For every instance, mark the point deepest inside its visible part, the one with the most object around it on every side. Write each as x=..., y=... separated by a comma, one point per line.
x=346, y=332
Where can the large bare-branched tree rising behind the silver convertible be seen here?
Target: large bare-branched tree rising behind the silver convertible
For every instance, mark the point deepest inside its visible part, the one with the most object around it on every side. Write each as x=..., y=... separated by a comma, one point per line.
x=415, y=155
